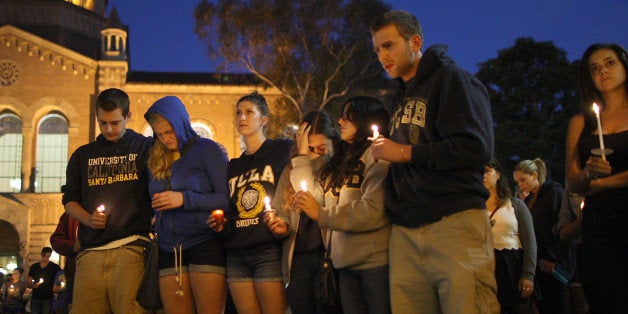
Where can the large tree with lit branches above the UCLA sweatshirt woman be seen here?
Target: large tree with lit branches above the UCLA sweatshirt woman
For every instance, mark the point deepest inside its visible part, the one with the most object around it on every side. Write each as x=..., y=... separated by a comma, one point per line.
x=314, y=52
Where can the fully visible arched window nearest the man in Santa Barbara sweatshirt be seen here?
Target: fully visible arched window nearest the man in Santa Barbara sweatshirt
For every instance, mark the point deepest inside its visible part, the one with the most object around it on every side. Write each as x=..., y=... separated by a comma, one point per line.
x=52, y=153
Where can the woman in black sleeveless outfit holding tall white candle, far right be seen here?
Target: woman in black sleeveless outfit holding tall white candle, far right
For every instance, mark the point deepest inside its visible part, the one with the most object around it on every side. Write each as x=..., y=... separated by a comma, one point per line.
x=602, y=179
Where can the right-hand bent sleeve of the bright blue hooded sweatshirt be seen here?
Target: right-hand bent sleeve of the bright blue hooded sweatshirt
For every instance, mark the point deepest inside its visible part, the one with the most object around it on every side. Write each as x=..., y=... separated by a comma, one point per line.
x=214, y=165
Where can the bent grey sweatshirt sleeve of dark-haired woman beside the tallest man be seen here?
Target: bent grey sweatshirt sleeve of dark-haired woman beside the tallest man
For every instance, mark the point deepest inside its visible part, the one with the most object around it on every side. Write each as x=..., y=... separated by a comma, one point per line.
x=366, y=213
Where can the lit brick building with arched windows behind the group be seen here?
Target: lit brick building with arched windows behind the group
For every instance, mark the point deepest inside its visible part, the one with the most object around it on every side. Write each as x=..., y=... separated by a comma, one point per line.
x=55, y=57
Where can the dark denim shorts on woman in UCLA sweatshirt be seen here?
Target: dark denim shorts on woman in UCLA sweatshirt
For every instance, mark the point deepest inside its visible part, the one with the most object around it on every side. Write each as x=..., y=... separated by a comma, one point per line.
x=255, y=265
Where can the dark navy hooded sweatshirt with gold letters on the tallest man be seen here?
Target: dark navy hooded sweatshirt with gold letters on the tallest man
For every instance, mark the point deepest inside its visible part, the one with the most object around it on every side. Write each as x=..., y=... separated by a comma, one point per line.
x=444, y=113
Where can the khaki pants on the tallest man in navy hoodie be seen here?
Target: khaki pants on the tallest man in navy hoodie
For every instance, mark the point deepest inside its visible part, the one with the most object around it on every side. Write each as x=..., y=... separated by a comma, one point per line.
x=444, y=267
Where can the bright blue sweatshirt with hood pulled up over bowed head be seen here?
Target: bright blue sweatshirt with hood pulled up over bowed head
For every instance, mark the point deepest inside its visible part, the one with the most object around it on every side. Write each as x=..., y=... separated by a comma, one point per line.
x=200, y=174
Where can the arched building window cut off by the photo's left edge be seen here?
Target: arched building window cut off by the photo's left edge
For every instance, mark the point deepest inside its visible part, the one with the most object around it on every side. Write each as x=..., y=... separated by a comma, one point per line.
x=10, y=153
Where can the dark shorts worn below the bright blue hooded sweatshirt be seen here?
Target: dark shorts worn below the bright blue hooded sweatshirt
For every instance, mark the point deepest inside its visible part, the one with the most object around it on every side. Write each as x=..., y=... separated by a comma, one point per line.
x=205, y=257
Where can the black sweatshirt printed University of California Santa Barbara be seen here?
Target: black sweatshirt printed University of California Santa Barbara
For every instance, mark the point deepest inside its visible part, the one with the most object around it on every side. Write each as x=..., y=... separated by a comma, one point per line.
x=112, y=174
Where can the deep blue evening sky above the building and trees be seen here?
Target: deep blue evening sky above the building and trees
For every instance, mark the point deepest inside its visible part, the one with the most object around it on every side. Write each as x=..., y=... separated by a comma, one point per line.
x=162, y=35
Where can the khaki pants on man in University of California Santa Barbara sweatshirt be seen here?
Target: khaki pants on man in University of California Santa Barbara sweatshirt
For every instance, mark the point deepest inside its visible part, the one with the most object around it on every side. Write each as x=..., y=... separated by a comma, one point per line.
x=106, y=281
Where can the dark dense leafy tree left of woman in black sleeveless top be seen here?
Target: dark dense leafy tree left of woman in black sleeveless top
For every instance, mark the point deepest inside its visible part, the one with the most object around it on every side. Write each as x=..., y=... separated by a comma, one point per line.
x=533, y=91
